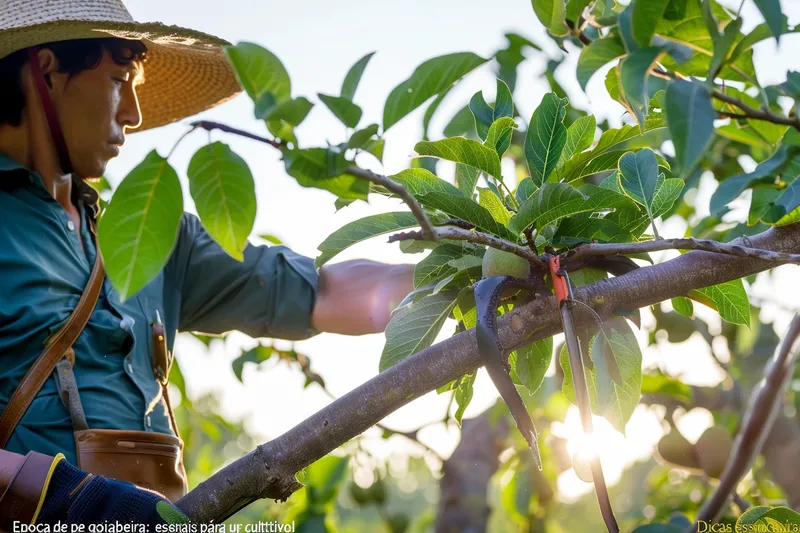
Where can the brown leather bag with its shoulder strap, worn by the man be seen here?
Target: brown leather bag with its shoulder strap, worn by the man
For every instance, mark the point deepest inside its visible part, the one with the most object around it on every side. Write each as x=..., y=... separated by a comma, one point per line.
x=148, y=459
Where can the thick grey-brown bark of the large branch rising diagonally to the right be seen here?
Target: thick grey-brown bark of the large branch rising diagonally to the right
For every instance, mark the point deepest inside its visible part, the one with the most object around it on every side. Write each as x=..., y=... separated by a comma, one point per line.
x=269, y=470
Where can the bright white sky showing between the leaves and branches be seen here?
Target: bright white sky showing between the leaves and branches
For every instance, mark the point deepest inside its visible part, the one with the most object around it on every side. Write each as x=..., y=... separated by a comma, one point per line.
x=318, y=41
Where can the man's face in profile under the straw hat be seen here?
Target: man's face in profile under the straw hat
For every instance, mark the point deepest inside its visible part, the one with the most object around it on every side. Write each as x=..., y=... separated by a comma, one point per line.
x=95, y=108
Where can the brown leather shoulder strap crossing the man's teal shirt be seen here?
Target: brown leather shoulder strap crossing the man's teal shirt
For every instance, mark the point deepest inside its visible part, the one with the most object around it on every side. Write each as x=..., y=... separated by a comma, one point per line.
x=55, y=350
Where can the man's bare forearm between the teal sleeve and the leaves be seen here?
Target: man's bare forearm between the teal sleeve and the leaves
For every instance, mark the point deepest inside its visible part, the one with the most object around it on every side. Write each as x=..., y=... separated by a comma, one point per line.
x=357, y=297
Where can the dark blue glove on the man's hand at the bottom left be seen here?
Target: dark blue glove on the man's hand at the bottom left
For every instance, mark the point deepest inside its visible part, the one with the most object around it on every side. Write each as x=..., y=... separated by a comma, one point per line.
x=75, y=497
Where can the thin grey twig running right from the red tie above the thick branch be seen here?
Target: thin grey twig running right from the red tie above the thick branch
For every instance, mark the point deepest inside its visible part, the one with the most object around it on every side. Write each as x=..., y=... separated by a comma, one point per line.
x=587, y=250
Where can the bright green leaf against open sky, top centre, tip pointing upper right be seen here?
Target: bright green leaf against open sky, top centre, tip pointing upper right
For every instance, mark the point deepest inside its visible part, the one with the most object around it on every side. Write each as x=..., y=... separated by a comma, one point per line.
x=428, y=79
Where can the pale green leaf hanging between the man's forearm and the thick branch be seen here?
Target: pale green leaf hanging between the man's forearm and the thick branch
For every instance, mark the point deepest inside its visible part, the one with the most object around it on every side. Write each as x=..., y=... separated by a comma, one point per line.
x=415, y=327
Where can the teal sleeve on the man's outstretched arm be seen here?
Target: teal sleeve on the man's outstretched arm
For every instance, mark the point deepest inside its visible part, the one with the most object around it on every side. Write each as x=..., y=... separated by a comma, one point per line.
x=269, y=294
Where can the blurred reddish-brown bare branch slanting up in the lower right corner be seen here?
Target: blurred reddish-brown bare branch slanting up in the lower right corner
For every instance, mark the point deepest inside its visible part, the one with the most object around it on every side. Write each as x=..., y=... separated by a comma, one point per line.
x=756, y=423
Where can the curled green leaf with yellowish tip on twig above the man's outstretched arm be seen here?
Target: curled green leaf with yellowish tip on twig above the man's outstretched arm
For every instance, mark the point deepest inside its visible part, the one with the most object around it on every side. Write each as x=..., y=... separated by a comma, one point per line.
x=324, y=169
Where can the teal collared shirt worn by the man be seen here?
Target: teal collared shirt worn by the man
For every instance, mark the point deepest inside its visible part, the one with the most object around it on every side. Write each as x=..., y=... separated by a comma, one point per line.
x=43, y=271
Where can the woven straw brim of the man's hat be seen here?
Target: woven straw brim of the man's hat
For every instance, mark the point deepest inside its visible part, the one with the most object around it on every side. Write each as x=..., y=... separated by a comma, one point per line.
x=186, y=71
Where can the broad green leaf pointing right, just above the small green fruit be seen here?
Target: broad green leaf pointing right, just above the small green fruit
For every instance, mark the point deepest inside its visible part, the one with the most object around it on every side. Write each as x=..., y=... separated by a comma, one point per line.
x=554, y=201
